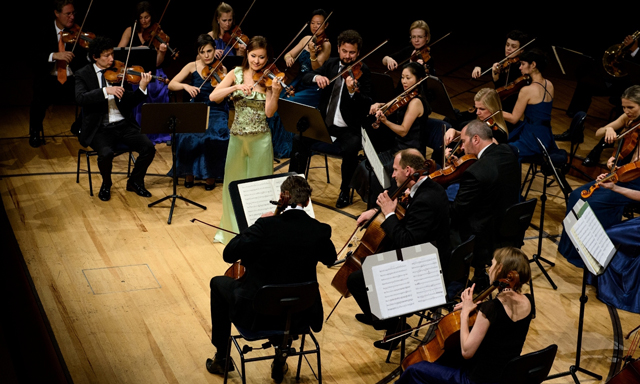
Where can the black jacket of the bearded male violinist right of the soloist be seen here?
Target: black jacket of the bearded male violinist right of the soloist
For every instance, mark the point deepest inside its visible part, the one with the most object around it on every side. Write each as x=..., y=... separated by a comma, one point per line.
x=353, y=108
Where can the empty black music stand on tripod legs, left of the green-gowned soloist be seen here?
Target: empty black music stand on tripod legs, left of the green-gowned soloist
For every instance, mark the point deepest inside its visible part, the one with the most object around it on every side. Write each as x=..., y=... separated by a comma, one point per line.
x=175, y=118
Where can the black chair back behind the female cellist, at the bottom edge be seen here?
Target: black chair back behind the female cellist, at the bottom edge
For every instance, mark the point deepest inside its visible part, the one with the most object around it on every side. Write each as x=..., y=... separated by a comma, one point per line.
x=531, y=368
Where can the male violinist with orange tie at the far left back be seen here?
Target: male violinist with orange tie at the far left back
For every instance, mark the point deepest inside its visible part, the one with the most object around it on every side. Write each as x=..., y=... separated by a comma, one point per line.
x=55, y=68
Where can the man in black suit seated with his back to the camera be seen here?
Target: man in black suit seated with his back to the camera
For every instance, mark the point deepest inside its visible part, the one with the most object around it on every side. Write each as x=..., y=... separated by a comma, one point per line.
x=282, y=249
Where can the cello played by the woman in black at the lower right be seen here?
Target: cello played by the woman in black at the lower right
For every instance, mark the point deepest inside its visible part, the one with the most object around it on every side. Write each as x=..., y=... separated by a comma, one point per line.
x=448, y=332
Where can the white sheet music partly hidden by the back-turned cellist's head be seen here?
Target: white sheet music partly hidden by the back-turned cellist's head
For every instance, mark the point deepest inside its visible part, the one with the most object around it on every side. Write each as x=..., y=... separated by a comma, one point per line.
x=256, y=197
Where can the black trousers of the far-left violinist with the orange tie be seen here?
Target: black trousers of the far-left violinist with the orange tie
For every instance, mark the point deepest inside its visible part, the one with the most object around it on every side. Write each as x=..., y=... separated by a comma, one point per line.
x=46, y=91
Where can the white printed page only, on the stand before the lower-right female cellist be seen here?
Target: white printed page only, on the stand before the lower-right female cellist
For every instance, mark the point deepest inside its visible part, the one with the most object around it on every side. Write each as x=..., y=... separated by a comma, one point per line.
x=408, y=286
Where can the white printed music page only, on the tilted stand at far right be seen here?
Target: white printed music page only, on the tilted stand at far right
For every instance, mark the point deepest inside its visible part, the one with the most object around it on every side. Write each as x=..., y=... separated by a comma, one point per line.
x=593, y=236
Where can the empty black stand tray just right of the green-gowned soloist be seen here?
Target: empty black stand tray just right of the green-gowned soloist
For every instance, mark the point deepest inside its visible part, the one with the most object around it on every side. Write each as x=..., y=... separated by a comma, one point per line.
x=304, y=120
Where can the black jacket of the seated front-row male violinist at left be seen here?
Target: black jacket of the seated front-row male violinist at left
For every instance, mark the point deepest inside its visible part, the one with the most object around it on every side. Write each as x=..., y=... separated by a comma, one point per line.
x=95, y=106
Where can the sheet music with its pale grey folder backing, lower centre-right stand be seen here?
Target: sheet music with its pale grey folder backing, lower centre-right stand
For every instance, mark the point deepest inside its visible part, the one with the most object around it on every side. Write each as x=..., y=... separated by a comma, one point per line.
x=404, y=281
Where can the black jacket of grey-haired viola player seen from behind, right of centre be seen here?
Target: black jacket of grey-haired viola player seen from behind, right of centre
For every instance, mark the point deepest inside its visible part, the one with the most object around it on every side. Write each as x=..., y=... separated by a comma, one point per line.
x=487, y=188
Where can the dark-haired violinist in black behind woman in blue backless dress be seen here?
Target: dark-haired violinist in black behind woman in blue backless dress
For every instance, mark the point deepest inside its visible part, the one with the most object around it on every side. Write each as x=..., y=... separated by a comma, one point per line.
x=508, y=71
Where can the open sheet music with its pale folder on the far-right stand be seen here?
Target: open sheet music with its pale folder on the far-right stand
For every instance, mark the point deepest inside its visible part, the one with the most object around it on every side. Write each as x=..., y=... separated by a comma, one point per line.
x=589, y=238
